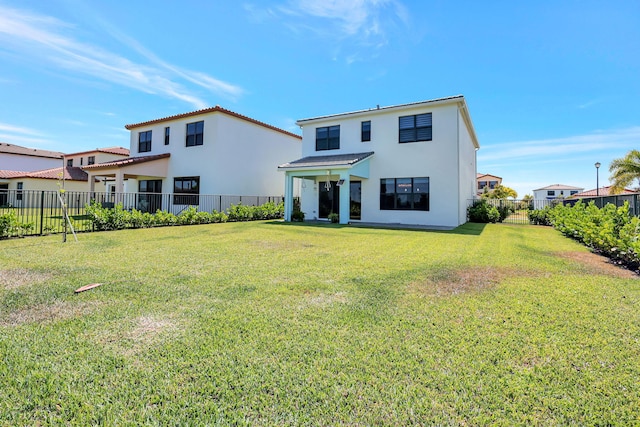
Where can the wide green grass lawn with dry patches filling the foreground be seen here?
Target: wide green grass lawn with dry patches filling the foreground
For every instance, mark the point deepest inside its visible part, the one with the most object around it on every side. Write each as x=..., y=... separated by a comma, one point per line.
x=269, y=323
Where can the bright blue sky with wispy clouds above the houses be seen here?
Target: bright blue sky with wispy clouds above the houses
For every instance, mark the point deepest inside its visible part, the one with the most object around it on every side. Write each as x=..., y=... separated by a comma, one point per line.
x=552, y=86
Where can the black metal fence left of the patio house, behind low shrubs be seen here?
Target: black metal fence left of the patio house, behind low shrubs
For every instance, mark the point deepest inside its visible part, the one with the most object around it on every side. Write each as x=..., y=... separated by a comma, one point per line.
x=43, y=209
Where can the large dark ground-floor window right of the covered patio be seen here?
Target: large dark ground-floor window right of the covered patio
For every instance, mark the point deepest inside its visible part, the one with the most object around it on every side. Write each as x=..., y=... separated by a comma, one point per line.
x=404, y=194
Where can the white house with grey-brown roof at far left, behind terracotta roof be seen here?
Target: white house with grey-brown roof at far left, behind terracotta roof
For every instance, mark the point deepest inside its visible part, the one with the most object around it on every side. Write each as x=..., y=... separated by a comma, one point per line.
x=17, y=158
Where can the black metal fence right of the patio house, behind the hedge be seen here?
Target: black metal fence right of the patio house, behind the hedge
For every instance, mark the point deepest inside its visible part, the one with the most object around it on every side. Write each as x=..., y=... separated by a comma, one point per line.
x=519, y=209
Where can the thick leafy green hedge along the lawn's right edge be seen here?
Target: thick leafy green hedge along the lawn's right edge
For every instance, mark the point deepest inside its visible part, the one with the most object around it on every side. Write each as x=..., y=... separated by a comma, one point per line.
x=612, y=231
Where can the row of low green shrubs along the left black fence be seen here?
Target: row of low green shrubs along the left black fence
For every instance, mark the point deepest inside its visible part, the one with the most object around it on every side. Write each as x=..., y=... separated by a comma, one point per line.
x=117, y=218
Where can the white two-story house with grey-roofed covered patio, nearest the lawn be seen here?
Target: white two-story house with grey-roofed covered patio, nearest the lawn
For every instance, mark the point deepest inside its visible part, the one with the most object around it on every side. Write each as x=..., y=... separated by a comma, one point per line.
x=409, y=164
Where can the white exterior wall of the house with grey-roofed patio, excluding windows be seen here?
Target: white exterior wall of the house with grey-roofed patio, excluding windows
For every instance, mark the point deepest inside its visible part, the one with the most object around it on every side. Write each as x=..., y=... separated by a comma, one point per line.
x=448, y=160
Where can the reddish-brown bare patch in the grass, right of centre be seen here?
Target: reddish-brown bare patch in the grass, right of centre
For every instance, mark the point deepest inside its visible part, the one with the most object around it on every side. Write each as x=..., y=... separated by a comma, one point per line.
x=453, y=282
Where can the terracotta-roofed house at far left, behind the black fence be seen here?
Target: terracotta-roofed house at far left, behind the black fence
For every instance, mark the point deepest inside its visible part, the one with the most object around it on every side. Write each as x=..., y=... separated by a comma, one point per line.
x=72, y=177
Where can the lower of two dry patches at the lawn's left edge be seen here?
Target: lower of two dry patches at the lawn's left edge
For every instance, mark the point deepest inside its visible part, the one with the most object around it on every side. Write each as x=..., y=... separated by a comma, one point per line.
x=59, y=310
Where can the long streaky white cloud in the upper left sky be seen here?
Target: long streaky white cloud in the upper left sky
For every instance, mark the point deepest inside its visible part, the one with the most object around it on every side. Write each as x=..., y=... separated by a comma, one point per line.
x=44, y=38
